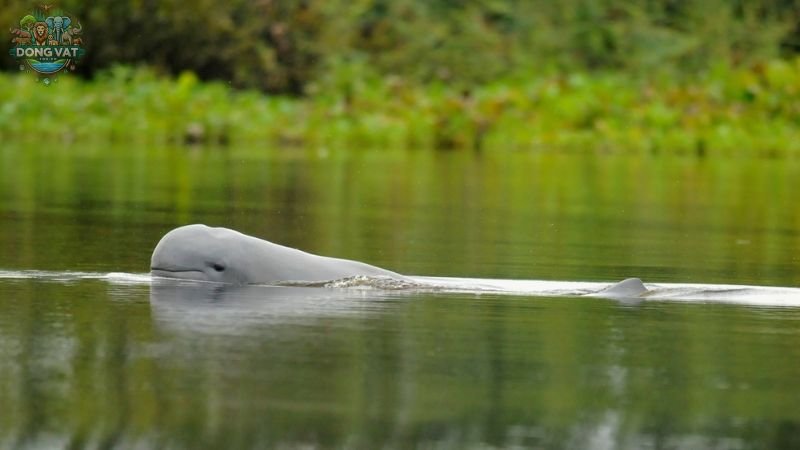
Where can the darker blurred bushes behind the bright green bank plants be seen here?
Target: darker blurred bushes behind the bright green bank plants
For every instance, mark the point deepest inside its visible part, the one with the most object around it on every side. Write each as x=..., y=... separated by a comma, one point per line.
x=288, y=45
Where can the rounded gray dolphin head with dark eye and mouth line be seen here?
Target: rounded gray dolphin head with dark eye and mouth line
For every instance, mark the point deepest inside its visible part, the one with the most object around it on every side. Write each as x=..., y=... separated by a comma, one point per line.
x=202, y=253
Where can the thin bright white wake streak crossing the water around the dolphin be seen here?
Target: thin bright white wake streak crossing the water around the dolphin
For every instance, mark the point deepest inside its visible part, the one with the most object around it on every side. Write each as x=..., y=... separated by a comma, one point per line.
x=381, y=287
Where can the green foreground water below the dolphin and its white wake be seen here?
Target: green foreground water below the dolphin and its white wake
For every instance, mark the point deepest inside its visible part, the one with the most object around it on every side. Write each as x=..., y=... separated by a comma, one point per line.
x=87, y=364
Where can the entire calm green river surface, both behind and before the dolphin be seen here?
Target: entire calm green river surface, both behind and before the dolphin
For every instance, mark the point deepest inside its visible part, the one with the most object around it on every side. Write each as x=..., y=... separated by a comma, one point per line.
x=110, y=363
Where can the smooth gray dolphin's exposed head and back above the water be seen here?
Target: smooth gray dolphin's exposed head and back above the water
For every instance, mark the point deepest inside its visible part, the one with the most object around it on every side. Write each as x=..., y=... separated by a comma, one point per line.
x=202, y=253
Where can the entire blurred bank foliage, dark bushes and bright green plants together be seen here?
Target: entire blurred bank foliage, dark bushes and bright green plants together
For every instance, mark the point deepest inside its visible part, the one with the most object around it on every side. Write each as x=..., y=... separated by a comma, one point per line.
x=694, y=75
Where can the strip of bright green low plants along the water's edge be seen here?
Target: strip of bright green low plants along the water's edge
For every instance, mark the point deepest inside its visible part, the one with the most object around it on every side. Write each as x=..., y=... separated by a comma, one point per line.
x=754, y=109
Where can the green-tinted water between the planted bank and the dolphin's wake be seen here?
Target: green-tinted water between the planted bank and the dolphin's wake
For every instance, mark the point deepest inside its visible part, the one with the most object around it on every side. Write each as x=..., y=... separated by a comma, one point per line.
x=544, y=215
